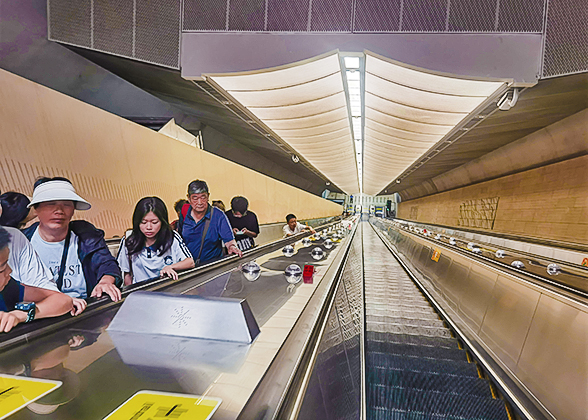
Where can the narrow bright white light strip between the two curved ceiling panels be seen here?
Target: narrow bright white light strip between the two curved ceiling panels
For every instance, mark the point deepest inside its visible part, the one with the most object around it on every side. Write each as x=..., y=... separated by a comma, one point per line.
x=353, y=77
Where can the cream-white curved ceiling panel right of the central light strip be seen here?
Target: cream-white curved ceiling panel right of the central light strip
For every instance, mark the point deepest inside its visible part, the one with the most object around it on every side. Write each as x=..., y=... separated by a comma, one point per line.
x=408, y=111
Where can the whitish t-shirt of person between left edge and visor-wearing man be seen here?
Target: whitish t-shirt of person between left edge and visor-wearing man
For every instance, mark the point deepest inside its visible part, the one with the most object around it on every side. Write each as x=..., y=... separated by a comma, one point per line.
x=27, y=267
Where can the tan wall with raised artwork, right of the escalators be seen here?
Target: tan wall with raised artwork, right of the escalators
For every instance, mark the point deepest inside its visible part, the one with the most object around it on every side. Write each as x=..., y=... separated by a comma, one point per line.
x=549, y=202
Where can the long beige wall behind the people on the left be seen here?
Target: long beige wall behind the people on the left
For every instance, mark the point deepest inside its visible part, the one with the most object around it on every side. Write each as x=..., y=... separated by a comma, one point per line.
x=114, y=162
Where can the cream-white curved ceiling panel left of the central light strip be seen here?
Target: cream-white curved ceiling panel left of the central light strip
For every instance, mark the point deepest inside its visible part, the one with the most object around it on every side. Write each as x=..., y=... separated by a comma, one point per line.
x=306, y=106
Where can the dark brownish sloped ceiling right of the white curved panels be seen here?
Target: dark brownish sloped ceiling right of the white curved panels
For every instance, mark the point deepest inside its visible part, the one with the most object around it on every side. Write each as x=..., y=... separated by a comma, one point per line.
x=548, y=102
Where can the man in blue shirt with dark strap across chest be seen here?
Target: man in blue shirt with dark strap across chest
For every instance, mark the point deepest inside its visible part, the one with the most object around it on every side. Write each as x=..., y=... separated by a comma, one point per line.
x=205, y=228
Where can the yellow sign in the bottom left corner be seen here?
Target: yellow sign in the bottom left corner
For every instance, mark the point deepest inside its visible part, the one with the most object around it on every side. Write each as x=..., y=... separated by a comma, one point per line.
x=17, y=392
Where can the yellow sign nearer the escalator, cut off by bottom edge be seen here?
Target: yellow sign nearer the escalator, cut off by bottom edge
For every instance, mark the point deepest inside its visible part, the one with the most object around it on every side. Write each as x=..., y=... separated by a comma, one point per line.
x=150, y=405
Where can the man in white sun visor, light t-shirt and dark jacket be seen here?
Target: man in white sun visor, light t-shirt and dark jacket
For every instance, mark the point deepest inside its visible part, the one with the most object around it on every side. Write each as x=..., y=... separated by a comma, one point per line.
x=74, y=251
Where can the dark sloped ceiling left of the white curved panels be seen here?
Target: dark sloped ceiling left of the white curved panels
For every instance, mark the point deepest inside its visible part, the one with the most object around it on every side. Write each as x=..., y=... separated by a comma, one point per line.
x=246, y=146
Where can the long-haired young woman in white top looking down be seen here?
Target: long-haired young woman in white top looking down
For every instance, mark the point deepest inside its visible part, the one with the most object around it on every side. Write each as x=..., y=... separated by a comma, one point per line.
x=152, y=249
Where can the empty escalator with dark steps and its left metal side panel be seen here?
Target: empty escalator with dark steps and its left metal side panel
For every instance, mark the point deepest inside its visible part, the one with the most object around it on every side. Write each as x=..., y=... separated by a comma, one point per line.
x=415, y=368
